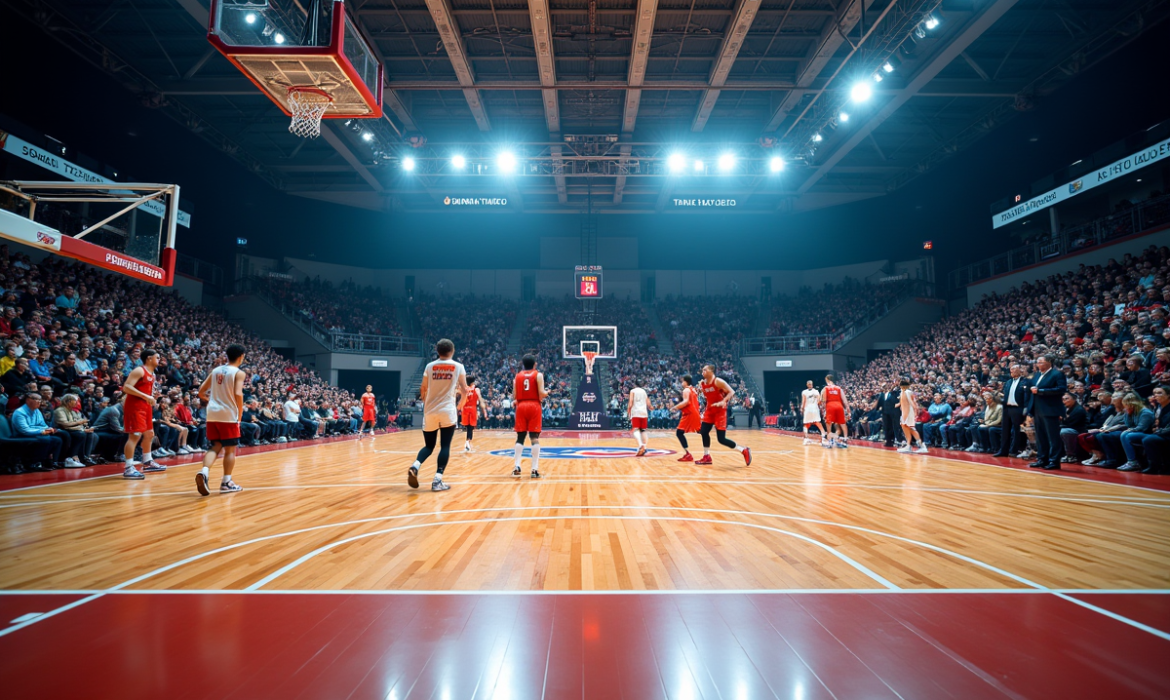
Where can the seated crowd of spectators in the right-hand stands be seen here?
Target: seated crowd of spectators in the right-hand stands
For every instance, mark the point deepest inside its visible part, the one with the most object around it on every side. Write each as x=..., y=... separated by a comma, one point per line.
x=1109, y=330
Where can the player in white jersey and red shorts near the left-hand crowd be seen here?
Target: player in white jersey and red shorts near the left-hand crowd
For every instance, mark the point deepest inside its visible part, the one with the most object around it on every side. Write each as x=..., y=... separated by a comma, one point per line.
x=223, y=392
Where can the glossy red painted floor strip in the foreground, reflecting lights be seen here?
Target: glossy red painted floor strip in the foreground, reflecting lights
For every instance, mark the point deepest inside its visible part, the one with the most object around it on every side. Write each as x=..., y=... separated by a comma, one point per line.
x=194, y=647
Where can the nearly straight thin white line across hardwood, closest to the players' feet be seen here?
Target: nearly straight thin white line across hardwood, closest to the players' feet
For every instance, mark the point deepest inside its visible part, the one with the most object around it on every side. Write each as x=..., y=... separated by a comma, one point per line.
x=512, y=481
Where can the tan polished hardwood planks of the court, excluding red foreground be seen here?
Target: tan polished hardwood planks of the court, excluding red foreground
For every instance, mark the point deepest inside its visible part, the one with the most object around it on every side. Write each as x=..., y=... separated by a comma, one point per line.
x=340, y=517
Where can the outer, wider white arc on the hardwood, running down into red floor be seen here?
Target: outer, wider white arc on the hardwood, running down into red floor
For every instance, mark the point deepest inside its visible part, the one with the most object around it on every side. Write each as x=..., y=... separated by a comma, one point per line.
x=462, y=512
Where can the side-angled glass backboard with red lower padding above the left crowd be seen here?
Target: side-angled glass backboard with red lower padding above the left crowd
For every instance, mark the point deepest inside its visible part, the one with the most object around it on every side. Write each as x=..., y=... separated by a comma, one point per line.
x=125, y=228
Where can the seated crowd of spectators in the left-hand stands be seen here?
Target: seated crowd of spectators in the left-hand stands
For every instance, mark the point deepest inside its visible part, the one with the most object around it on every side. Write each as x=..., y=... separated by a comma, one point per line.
x=72, y=334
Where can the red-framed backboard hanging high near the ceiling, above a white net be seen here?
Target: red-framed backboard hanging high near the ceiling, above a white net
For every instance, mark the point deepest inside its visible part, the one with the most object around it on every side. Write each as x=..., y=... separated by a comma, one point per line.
x=269, y=42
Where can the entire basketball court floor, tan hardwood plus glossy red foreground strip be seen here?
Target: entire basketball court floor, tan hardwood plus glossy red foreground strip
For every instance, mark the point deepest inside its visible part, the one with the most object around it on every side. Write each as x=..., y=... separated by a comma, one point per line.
x=813, y=574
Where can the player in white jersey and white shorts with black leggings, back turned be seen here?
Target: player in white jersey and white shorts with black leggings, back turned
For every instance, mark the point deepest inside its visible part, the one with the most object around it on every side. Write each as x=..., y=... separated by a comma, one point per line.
x=442, y=381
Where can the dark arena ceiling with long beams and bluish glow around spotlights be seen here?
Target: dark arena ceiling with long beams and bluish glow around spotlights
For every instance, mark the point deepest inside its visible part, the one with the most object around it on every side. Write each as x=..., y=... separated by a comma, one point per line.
x=595, y=107
